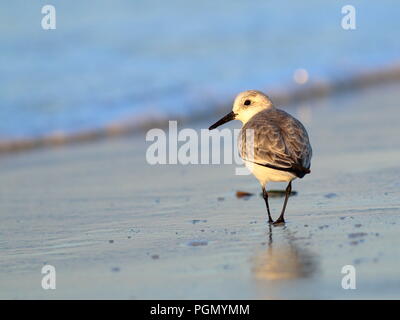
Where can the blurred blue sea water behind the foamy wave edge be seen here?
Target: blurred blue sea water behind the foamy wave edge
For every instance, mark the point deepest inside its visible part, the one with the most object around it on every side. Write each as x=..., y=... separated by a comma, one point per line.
x=112, y=61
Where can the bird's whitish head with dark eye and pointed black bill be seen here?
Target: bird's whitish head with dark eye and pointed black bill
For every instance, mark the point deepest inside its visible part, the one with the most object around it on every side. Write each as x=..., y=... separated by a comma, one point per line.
x=245, y=106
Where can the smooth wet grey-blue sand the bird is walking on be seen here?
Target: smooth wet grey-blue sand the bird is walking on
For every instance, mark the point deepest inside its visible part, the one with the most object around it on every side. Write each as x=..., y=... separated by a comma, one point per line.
x=115, y=227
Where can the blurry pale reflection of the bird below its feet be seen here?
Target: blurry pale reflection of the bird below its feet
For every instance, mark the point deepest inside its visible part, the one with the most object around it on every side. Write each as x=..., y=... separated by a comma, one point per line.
x=284, y=259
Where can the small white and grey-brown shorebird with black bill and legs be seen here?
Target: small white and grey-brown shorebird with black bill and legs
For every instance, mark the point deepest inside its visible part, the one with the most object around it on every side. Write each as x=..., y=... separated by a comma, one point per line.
x=273, y=145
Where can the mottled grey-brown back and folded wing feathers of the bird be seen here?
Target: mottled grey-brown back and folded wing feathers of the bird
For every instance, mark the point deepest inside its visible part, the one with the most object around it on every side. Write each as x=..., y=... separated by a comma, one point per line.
x=279, y=141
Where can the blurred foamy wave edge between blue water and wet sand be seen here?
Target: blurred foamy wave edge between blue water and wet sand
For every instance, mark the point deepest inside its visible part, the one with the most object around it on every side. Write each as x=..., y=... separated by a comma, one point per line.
x=291, y=96
